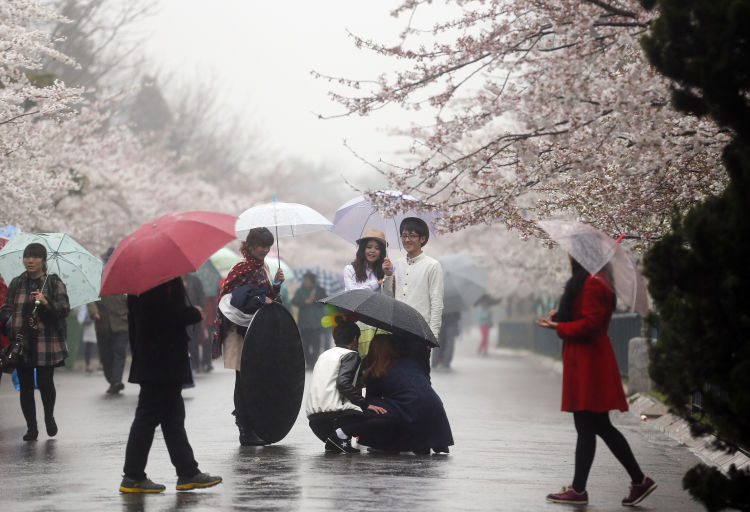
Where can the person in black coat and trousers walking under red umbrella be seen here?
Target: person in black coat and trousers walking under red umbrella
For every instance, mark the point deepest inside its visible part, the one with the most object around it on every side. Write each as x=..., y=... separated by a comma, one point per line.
x=158, y=341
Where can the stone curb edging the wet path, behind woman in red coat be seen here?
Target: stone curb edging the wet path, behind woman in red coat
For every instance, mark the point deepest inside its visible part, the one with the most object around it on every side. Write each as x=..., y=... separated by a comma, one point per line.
x=655, y=416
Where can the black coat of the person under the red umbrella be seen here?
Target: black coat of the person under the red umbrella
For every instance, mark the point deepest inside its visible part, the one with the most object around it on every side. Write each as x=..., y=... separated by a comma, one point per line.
x=157, y=321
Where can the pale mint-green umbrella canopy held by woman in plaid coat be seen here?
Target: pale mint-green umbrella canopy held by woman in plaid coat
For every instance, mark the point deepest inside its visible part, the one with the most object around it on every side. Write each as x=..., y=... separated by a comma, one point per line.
x=80, y=270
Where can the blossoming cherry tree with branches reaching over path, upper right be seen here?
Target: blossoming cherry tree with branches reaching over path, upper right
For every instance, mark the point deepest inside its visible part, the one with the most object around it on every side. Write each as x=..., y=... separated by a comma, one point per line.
x=538, y=109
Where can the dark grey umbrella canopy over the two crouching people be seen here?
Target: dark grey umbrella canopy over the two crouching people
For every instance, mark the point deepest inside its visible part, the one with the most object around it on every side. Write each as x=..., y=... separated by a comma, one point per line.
x=384, y=312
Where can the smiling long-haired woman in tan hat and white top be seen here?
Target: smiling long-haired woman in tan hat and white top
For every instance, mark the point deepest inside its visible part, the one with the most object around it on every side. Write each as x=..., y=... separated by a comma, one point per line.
x=366, y=272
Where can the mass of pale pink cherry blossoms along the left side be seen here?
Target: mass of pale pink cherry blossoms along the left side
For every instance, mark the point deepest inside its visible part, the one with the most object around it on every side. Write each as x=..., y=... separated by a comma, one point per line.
x=69, y=165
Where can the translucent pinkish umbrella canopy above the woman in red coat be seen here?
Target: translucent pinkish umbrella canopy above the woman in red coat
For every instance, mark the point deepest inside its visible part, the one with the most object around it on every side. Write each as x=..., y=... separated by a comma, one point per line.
x=593, y=250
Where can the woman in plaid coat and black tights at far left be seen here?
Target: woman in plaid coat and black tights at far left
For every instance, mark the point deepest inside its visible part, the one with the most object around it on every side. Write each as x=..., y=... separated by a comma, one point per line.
x=35, y=308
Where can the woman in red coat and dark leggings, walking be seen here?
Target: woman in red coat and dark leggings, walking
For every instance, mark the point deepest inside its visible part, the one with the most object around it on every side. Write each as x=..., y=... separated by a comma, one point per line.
x=591, y=380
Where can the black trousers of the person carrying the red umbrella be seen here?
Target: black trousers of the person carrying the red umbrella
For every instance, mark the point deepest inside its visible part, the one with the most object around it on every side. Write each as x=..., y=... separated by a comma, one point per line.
x=159, y=403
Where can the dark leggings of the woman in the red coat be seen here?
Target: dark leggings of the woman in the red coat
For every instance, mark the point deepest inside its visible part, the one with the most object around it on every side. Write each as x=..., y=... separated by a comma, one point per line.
x=589, y=425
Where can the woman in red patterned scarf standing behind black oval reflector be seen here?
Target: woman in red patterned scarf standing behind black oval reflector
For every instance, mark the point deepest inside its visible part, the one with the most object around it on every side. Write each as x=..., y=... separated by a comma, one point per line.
x=252, y=275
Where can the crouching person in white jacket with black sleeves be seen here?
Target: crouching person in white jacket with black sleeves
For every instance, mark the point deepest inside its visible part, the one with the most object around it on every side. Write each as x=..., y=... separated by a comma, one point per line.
x=335, y=397
